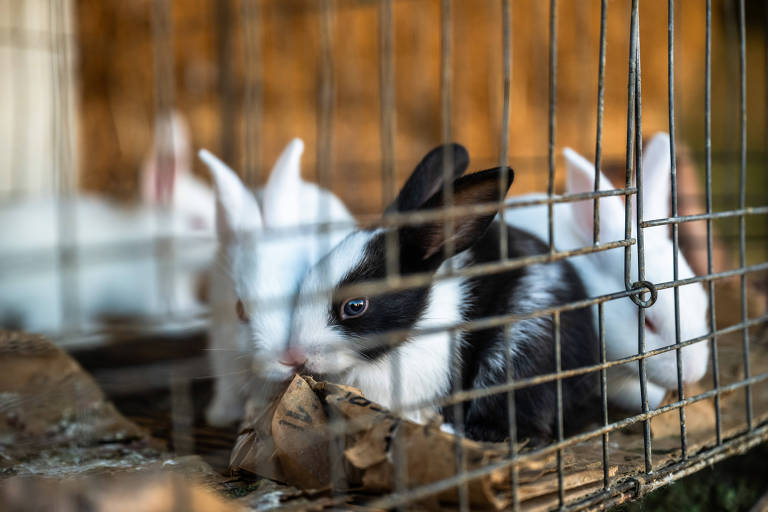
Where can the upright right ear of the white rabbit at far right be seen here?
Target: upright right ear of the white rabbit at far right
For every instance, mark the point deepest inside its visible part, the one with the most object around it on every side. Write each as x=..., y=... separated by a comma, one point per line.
x=657, y=166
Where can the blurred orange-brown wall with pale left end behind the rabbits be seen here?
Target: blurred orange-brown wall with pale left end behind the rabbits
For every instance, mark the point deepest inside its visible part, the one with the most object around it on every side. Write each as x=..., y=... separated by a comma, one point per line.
x=83, y=84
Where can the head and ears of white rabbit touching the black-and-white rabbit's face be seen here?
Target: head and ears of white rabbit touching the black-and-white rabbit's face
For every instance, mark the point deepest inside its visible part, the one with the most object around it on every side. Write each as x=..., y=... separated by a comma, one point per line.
x=265, y=249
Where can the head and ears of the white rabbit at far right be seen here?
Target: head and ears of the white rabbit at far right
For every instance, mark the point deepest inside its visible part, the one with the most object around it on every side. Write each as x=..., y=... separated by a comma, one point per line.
x=608, y=274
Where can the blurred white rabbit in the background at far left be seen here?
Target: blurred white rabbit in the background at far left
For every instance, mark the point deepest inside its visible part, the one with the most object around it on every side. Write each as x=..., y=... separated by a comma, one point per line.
x=117, y=273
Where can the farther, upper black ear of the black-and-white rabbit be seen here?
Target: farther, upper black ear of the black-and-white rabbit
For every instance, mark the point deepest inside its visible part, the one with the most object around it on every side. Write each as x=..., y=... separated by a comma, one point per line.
x=428, y=177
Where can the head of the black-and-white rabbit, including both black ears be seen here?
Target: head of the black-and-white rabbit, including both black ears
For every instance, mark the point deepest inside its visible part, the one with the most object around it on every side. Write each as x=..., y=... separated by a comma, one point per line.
x=340, y=333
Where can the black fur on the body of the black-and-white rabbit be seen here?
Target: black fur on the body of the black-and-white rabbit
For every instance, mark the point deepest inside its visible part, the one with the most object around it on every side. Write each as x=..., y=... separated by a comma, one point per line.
x=535, y=407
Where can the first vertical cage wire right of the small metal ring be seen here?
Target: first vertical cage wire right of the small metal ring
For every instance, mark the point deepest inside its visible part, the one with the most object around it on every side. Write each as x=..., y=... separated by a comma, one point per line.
x=675, y=226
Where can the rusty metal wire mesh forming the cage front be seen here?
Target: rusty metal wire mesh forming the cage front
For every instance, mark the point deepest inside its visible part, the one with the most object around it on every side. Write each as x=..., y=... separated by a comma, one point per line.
x=640, y=291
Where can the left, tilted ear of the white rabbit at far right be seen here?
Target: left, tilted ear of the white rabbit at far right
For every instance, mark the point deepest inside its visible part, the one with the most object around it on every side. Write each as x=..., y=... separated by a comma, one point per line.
x=580, y=178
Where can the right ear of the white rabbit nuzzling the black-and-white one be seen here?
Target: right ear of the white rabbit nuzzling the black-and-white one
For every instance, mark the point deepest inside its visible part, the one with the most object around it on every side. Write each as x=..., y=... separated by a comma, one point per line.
x=282, y=193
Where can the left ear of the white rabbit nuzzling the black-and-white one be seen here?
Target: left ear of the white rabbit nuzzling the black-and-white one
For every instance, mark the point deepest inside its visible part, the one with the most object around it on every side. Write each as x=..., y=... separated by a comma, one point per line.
x=236, y=208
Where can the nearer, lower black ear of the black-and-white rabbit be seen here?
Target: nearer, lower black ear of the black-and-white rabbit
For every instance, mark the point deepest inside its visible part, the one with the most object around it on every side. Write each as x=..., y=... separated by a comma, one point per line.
x=426, y=243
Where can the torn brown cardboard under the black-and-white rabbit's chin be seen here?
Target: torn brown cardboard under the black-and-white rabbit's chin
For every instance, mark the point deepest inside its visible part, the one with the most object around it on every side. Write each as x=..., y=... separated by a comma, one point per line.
x=292, y=442
